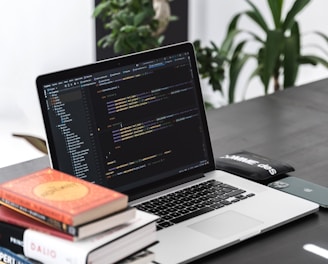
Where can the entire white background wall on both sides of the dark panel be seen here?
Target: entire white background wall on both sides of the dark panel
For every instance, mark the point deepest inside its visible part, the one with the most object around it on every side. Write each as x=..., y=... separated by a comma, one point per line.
x=38, y=36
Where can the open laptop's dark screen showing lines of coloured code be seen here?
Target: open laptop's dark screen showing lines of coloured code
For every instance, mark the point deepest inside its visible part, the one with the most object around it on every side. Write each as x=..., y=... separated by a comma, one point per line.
x=130, y=121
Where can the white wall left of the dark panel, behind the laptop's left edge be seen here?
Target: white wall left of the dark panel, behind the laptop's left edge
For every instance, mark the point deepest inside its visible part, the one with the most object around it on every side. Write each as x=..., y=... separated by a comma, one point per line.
x=37, y=36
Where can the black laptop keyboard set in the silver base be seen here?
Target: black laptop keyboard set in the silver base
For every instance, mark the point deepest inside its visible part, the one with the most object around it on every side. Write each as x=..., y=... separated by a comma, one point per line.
x=187, y=203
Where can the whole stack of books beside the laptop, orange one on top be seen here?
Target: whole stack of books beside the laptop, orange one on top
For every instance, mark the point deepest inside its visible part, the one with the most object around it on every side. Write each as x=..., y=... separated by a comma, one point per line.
x=52, y=217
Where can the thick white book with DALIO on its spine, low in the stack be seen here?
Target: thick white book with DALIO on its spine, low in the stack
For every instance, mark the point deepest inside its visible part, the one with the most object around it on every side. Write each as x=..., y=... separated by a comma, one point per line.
x=112, y=245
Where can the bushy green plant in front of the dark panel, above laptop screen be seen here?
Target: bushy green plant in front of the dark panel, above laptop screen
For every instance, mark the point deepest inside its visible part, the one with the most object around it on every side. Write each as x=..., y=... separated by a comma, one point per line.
x=133, y=25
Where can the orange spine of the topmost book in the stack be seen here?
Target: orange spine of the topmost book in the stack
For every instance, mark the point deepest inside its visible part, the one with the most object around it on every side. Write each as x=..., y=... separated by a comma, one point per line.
x=7, y=196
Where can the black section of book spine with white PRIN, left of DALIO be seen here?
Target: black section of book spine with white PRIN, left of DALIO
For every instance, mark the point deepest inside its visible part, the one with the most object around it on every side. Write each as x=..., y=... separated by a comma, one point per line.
x=11, y=237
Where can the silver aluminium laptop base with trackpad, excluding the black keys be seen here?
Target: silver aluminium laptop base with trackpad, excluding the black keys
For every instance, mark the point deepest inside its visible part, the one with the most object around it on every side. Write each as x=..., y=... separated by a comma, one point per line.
x=202, y=235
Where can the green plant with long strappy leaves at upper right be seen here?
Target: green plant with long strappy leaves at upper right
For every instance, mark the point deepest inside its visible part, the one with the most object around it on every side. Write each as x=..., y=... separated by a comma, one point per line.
x=279, y=52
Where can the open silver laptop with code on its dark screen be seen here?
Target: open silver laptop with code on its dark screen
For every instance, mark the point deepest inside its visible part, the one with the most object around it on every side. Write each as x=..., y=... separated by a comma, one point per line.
x=137, y=124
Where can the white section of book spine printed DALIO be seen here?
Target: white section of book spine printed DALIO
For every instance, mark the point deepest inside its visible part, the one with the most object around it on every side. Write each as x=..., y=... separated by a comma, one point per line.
x=49, y=249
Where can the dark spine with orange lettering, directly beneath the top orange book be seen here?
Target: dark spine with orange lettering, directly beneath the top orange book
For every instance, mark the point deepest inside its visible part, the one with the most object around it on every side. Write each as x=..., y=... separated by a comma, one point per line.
x=68, y=229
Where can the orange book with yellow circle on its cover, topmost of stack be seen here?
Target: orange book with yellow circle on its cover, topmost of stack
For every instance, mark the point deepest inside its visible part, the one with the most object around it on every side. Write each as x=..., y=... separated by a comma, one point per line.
x=56, y=195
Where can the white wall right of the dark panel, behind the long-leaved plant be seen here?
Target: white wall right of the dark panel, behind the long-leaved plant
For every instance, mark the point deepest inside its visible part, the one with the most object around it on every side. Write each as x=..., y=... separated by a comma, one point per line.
x=209, y=20
